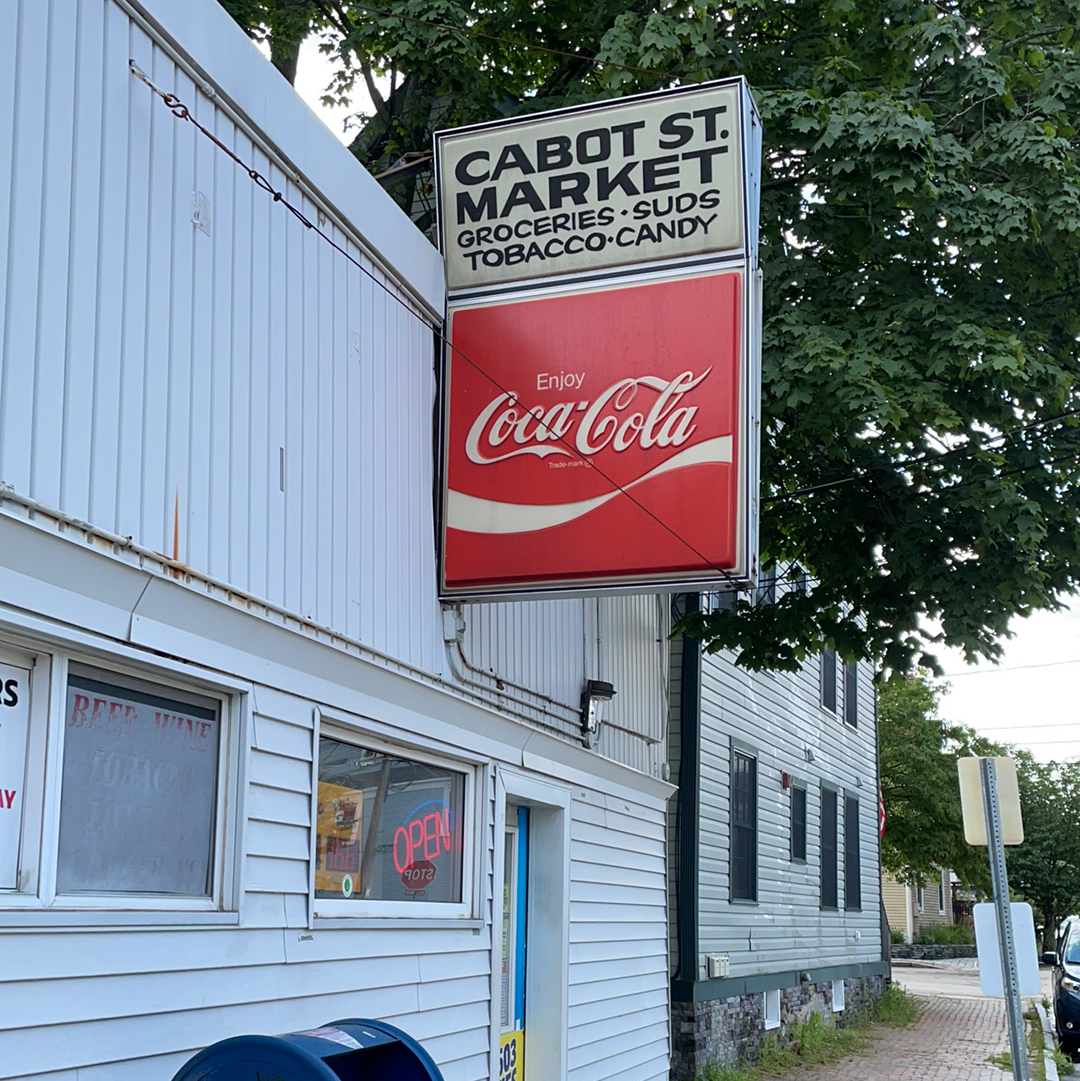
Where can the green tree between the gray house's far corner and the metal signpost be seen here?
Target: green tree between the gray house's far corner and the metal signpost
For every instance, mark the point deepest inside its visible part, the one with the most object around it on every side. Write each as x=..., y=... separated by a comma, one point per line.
x=921, y=788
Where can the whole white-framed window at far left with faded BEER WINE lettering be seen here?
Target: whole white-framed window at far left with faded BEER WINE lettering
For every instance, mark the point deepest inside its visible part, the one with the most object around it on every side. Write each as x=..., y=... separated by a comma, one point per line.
x=121, y=793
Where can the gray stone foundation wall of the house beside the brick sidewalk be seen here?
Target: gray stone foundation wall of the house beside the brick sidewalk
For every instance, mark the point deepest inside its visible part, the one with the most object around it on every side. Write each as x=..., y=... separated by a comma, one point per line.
x=730, y=1032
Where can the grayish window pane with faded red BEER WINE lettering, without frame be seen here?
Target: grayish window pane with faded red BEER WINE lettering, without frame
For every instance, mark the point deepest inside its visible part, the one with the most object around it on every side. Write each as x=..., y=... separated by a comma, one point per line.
x=139, y=790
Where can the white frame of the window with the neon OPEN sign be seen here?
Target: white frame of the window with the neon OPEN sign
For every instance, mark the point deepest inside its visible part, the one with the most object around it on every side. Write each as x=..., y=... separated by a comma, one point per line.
x=327, y=912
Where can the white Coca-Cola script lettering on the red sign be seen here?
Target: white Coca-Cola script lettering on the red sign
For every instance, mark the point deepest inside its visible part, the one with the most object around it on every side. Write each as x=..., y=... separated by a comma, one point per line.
x=619, y=418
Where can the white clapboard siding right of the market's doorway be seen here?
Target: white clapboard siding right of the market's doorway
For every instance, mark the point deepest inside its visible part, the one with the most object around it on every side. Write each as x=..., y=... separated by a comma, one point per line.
x=619, y=978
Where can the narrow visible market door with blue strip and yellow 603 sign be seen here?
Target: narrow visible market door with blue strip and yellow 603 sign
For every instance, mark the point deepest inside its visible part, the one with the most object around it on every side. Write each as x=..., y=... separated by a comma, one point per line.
x=512, y=1059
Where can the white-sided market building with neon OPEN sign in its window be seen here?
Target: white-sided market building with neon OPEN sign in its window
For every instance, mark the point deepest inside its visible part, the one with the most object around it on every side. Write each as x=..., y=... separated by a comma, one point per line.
x=256, y=779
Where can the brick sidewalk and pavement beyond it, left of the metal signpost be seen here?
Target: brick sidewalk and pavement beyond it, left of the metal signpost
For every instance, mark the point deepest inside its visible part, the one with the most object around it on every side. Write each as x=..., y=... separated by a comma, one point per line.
x=956, y=1033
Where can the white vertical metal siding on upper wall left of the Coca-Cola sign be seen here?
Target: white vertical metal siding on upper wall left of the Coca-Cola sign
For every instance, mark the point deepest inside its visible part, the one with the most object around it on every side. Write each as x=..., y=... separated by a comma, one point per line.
x=243, y=372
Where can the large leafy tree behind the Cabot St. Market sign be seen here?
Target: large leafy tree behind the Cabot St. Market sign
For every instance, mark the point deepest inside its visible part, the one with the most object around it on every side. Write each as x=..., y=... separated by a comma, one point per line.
x=921, y=244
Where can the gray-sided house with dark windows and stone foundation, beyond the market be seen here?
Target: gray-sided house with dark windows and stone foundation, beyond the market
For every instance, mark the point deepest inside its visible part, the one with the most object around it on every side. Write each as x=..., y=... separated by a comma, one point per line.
x=775, y=877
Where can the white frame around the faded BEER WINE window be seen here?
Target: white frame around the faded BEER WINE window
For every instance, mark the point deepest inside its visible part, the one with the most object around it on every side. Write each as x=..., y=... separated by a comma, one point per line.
x=37, y=902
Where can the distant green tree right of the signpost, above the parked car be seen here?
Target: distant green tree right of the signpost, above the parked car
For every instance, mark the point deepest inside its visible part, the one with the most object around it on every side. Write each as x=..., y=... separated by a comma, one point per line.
x=1046, y=869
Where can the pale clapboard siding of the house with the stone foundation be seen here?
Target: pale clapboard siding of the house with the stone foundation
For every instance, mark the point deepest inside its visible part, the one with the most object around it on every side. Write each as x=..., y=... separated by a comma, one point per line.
x=778, y=717
